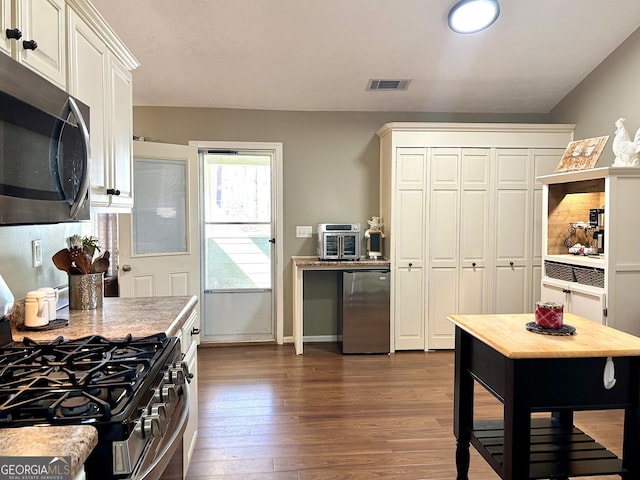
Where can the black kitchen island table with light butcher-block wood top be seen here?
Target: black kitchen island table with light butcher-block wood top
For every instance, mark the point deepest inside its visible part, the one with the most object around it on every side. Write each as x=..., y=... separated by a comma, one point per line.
x=530, y=372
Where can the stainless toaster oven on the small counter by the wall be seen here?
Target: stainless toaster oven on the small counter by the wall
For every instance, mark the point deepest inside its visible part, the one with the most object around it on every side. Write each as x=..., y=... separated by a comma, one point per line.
x=339, y=241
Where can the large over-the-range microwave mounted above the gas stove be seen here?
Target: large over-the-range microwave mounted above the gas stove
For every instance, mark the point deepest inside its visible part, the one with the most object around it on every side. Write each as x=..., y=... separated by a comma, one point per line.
x=44, y=150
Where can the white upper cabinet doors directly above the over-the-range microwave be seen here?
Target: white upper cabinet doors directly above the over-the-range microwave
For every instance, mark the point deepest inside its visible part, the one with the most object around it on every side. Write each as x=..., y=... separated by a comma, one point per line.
x=36, y=37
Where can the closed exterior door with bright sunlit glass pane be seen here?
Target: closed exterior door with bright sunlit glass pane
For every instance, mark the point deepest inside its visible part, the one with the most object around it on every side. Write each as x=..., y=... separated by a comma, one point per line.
x=238, y=244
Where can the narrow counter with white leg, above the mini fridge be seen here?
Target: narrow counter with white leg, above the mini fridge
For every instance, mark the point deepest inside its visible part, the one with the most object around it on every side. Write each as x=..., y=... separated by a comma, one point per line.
x=300, y=264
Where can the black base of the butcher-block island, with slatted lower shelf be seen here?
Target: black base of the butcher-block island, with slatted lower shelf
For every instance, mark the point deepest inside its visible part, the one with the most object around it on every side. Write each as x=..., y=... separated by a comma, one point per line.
x=518, y=447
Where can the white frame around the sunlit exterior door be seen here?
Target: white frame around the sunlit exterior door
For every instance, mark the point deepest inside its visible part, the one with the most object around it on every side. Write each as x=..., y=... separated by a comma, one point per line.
x=275, y=149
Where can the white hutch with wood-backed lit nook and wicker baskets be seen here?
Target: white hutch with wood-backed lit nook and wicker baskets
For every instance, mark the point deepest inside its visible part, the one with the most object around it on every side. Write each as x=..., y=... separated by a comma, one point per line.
x=604, y=288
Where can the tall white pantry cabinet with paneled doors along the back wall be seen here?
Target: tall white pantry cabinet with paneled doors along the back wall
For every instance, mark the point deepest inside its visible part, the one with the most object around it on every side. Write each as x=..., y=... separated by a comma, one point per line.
x=461, y=210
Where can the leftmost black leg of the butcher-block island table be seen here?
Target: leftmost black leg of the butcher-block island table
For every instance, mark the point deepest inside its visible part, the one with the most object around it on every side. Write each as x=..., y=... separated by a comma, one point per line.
x=462, y=404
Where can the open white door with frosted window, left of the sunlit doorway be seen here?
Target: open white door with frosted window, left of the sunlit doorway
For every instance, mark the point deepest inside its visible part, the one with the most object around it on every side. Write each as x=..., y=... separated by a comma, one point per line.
x=159, y=241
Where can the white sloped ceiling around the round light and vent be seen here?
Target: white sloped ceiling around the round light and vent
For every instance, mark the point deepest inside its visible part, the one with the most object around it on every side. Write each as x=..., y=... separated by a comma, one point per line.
x=319, y=55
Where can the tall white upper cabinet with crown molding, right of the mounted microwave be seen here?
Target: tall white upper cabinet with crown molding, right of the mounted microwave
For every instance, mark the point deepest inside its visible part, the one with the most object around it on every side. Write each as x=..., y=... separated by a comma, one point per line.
x=100, y=76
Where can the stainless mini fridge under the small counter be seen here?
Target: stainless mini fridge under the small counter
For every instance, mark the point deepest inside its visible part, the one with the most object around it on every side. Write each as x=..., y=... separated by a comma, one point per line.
x=364, y=311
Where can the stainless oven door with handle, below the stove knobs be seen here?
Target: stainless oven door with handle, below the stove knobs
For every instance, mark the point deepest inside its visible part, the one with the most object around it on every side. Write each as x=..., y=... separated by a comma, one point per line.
x=159, y=452
